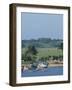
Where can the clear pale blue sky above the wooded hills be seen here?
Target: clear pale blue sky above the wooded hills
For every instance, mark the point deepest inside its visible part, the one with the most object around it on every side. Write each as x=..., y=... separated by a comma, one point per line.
x=41, y=25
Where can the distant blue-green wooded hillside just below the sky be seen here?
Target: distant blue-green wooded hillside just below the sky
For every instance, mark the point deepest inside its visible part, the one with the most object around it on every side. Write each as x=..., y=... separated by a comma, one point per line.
x=42, y=43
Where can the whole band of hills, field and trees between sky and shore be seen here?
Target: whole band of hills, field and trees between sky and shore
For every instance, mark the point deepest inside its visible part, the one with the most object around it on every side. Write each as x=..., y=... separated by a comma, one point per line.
x=43, y=49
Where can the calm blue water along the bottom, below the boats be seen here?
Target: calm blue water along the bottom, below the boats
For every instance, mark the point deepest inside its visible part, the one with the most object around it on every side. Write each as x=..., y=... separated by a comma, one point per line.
x=45, y=72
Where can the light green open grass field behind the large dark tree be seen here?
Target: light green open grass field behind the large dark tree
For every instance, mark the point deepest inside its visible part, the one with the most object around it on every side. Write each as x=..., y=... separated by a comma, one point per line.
x=45, y=52
